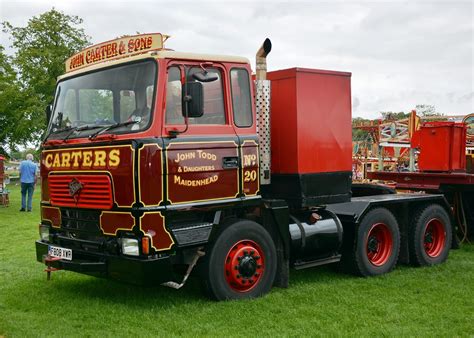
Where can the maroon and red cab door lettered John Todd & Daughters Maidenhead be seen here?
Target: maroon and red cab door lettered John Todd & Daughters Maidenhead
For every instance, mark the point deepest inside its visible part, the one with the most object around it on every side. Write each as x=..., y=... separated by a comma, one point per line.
x=202, y=160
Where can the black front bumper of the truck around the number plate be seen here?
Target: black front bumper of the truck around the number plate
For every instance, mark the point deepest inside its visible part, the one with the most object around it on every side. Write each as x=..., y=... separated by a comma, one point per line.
x=149, y=271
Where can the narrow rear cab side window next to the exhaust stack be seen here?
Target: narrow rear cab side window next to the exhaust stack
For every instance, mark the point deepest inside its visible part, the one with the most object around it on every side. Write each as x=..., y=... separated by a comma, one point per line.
x=241, y=102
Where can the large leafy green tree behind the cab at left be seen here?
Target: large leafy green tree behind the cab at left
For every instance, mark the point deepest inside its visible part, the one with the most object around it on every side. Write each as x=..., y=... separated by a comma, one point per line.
x=41, y=48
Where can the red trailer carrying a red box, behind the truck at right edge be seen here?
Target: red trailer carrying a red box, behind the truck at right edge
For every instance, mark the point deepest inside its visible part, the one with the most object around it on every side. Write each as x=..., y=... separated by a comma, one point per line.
x=440, y=148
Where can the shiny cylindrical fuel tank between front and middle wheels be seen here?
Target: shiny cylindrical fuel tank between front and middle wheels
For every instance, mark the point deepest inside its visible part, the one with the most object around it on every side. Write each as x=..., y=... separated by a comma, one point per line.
x=315, y=235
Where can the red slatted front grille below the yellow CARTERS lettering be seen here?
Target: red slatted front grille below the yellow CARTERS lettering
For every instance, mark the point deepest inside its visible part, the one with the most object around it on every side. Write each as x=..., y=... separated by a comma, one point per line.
x=83, y=191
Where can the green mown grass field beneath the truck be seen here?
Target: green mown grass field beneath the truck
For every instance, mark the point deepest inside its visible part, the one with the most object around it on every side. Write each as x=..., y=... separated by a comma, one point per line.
x=437, y=301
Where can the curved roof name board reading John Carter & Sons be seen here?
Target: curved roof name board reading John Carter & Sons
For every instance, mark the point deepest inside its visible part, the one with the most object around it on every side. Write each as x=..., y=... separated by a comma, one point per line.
x=115, y=49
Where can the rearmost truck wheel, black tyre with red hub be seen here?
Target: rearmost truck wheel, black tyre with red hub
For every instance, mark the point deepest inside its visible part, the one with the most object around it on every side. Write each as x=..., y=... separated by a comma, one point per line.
x=430, y=236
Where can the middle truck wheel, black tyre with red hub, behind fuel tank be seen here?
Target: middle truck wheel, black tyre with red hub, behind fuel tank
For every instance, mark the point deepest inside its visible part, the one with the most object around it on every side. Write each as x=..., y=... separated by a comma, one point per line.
x=376, y=245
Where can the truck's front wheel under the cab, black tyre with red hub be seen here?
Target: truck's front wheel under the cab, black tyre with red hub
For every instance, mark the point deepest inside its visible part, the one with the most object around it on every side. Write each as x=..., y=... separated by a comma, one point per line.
x=241, y=263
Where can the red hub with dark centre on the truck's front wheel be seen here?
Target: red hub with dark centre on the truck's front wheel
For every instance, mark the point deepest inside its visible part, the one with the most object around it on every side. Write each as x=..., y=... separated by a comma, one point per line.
x=244, y=265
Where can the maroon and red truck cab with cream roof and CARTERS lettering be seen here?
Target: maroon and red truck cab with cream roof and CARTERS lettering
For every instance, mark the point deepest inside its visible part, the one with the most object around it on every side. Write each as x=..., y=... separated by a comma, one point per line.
x=121, y=158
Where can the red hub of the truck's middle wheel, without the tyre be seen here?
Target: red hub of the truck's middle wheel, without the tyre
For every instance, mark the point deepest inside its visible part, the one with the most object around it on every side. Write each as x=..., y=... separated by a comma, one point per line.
x=379, y=244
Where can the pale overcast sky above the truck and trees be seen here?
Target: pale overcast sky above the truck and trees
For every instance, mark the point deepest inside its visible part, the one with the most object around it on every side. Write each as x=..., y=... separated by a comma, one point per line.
x=400, y=53
